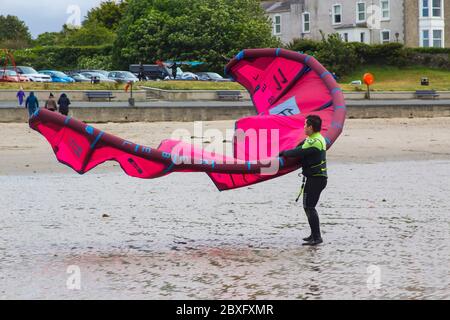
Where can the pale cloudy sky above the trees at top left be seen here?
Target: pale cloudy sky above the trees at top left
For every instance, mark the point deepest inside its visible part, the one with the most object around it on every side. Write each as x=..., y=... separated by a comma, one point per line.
x=47, y=15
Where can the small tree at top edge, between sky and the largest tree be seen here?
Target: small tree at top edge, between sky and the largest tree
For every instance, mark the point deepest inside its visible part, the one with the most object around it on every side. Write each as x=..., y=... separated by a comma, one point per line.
x=108, y=14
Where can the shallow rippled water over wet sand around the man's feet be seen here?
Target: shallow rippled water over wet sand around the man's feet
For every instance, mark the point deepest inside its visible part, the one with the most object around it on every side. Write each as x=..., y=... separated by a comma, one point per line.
x=385, y=226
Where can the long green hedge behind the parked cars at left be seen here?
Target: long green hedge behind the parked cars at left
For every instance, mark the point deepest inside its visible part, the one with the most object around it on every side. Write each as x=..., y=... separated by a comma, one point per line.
x=58, y=57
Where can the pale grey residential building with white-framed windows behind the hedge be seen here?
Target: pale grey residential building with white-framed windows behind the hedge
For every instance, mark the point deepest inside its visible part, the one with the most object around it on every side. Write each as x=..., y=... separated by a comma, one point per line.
x=416, y=23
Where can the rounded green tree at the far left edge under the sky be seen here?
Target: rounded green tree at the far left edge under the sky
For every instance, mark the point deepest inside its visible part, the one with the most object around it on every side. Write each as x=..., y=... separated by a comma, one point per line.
x=13, y=32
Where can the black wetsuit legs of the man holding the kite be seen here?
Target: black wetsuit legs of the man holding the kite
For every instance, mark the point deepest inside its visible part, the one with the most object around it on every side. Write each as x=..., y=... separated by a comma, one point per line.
x=313, y=188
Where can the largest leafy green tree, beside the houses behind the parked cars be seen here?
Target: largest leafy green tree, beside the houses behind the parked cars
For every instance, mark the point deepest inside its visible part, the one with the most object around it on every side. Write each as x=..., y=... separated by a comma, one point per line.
x=203, y=30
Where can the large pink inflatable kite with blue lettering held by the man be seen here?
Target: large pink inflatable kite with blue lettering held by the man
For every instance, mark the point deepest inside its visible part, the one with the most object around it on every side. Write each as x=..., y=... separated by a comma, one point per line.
x=285, y=87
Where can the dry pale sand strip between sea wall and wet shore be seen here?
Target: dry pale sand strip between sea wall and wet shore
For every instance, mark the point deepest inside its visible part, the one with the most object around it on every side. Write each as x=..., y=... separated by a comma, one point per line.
x=23, y=151
